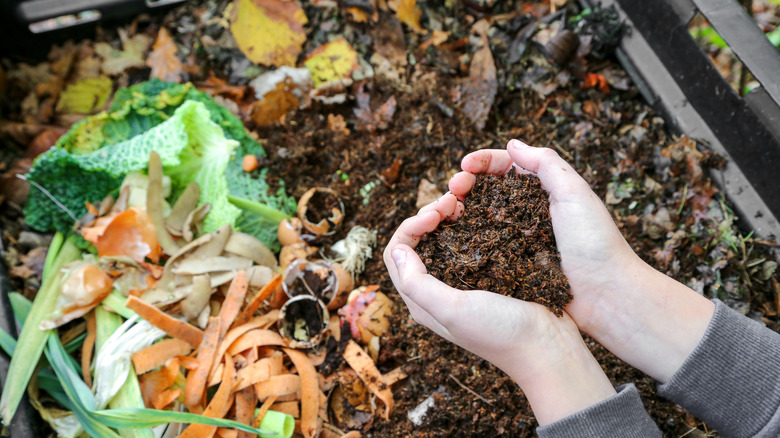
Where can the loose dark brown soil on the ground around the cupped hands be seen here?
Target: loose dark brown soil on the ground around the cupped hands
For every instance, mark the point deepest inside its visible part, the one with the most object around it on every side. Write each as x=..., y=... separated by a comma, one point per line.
x=614, y=140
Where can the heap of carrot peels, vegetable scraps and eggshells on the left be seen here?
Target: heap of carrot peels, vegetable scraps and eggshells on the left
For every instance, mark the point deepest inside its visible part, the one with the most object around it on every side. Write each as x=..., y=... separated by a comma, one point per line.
x=205, y=325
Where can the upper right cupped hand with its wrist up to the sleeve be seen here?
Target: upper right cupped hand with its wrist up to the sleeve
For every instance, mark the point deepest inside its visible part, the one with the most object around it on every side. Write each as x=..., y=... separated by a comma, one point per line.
x=641, y=315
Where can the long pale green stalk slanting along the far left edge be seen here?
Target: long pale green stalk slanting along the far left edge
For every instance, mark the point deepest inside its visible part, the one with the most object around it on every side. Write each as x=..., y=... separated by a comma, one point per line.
x=32, y=340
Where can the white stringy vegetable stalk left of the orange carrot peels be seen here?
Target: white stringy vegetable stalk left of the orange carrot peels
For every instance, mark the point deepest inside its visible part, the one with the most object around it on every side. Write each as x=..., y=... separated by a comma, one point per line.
x=112, y=363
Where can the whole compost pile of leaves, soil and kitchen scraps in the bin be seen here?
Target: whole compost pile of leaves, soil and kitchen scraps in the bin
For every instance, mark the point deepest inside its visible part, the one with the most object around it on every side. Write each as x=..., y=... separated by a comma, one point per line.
x=378, y=102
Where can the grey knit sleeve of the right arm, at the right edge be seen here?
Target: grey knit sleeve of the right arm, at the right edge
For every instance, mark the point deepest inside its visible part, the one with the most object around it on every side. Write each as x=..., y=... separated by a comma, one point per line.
x=732, y=379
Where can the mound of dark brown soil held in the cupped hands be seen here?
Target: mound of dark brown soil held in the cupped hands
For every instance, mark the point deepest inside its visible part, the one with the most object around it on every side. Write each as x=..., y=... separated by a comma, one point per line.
x=503, y=243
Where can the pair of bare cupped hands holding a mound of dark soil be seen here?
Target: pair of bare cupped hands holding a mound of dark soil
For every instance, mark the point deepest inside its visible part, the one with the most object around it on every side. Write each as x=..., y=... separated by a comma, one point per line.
x=618, y=299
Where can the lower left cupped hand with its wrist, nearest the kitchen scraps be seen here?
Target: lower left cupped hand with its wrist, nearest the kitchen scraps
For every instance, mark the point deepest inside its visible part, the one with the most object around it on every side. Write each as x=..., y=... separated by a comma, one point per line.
x=544, y=354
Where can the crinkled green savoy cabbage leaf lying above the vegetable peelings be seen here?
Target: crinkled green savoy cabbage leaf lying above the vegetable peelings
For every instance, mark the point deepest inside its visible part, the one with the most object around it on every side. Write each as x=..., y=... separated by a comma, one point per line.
x=110, y=144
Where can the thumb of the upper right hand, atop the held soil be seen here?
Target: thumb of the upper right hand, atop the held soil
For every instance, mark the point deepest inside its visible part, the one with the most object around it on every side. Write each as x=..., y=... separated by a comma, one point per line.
x=556, y=175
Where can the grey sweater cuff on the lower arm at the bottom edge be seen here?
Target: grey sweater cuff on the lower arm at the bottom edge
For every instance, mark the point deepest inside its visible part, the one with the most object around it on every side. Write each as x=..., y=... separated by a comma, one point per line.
x=621, y=415
